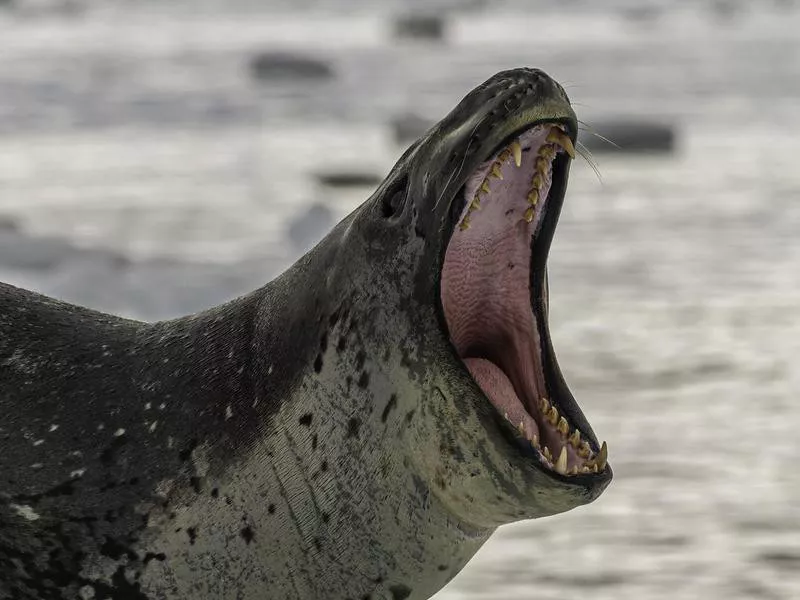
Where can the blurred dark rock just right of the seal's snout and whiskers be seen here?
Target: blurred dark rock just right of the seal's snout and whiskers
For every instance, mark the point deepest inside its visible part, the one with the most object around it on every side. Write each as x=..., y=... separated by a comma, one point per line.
x=629, y=136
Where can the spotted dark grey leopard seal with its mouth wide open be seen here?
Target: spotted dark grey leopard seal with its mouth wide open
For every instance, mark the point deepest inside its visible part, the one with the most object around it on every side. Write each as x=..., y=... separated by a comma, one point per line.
x=357, y=428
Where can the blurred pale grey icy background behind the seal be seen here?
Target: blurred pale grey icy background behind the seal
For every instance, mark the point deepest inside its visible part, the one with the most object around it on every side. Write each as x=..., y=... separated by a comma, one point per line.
x=157, y=158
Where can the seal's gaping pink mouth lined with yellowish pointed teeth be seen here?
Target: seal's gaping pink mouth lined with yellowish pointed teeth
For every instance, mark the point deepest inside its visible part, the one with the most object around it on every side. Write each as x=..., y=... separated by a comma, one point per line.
x=494, y=295
